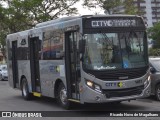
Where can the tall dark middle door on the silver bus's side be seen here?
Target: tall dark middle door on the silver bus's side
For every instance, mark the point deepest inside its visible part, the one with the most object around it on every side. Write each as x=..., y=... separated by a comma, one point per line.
x=34, y=63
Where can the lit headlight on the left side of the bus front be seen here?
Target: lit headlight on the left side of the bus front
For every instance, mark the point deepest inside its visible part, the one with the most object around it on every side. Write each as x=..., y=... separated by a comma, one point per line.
x=94, y=86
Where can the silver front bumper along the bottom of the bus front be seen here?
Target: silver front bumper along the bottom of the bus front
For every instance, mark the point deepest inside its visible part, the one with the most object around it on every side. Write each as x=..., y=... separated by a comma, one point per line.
x=91, y=96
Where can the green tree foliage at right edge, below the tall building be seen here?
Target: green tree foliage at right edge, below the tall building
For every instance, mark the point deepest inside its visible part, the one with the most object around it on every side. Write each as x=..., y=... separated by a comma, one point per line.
x=154, y=34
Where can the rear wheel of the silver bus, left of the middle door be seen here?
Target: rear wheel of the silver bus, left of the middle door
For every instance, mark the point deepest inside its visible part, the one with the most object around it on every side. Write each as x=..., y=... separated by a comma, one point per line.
x=24, y=88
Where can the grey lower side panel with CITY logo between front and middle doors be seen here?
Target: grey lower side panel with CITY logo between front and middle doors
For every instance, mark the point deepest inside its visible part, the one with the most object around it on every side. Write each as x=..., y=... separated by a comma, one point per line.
x=50, y=71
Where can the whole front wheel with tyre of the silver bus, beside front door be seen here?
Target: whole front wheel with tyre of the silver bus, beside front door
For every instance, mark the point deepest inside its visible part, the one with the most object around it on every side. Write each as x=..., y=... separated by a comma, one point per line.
x=62, y=97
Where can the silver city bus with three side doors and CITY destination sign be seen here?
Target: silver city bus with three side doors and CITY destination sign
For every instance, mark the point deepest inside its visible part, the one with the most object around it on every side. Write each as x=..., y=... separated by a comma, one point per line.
x=82, y=59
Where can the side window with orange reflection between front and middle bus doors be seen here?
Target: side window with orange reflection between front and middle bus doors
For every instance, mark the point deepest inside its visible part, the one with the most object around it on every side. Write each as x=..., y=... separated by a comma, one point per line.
x=53, y=45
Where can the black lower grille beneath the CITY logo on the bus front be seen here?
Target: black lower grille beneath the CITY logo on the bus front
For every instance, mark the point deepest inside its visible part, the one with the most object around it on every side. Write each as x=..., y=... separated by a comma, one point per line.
x=123, y=92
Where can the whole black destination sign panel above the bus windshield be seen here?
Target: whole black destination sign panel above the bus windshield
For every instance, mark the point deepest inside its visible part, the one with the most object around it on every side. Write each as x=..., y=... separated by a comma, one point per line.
x=120, y=22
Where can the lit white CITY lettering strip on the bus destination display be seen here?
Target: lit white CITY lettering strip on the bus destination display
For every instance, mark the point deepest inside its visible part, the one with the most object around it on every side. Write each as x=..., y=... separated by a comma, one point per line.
x=112, y=23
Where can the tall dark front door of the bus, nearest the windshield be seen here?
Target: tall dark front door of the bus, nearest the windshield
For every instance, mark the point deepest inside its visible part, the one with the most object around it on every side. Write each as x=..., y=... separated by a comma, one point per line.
x=72, y=64
